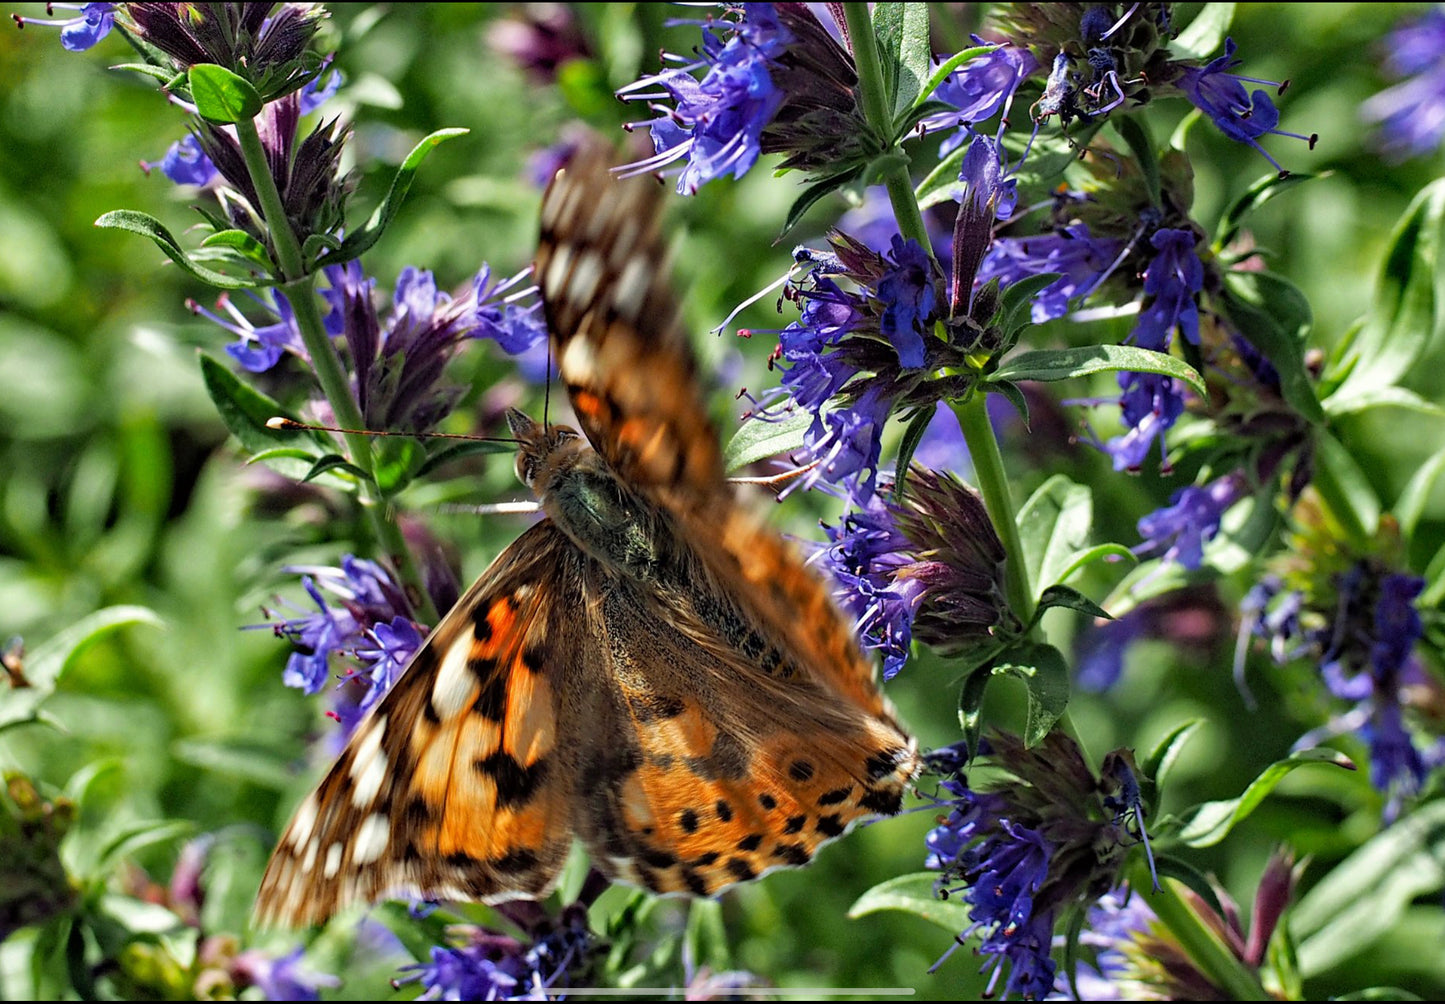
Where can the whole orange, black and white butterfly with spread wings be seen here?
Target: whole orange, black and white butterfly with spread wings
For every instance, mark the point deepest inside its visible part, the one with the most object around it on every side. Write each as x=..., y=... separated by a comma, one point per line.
x=648, y=670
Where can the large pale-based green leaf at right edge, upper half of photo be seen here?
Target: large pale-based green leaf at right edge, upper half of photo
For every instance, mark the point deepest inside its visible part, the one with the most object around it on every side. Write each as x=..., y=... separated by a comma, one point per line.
x=1405, y=316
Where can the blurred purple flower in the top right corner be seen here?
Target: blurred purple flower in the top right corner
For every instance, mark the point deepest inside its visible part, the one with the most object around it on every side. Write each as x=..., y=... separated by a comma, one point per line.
x=1411, y=116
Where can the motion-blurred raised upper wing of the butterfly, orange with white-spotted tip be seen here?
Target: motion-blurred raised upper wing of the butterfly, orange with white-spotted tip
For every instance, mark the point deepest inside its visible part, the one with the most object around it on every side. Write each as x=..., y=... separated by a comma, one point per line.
x=602, y=267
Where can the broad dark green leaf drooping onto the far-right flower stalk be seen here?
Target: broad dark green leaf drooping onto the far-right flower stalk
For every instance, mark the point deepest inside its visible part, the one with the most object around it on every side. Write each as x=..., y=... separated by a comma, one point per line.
x=1275, y=317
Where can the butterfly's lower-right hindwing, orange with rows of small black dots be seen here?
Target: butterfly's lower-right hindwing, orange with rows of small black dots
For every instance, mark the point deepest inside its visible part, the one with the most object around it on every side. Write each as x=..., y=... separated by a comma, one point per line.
x=725, y=772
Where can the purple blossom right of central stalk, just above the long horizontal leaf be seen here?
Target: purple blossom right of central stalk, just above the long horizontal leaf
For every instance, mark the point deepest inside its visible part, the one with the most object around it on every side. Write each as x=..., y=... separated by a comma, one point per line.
x=1080, y=259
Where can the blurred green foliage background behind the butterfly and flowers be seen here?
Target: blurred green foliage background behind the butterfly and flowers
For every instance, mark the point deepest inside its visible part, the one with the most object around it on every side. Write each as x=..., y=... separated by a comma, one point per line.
x=118, y=485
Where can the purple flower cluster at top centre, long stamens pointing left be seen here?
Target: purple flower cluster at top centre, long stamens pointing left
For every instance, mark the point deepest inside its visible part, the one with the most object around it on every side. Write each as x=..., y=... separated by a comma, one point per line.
x=717, y=124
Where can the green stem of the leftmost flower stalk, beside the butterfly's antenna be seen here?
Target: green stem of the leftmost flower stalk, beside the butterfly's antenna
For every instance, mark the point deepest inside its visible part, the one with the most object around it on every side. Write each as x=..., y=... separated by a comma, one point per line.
x=301, y=293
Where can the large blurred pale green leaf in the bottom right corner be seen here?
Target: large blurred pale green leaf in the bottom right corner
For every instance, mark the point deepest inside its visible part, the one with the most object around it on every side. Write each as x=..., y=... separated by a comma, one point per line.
x=1363, y=898
